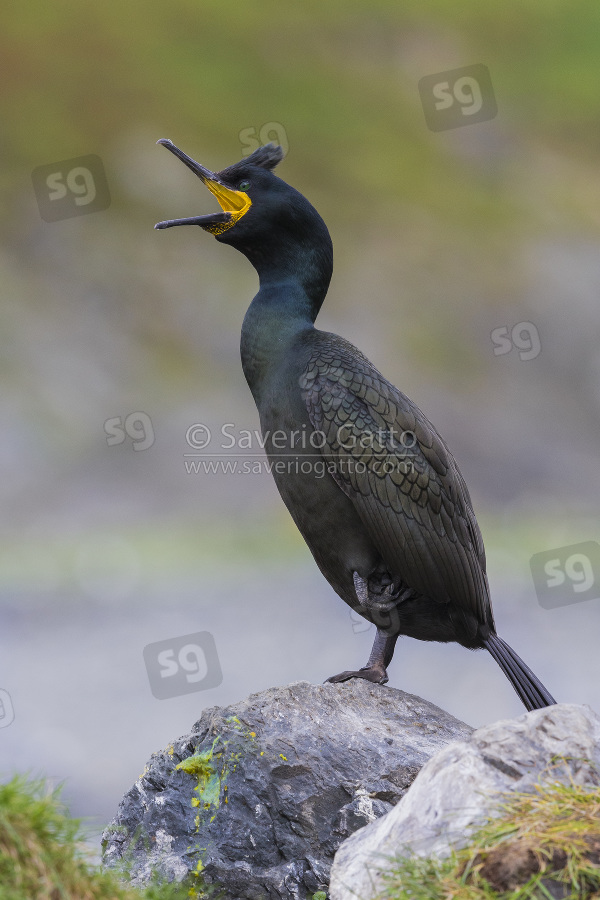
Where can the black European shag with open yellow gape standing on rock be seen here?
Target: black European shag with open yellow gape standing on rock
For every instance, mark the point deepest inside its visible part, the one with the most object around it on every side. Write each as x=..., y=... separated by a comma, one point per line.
x=371, y=485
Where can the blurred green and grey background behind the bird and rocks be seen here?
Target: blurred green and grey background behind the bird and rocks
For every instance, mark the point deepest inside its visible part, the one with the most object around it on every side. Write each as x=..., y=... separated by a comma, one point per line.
x=440, y=238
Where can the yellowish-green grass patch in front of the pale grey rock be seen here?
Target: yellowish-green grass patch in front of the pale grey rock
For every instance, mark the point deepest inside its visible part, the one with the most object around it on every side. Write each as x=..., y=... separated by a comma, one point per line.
x=540, y=839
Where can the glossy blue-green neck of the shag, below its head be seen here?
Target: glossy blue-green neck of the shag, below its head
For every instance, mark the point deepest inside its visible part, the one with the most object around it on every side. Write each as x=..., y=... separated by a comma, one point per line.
x=293, y=285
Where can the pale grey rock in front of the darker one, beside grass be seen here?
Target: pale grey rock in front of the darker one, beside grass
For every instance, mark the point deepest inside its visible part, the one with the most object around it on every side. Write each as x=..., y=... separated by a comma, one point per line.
x=458, y=789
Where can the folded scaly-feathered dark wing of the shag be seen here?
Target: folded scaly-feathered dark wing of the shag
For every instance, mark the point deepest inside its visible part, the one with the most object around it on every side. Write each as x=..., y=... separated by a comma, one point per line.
x=400, y=476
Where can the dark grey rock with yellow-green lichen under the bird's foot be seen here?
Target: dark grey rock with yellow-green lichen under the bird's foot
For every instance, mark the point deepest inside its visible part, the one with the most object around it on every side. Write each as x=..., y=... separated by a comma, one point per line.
x=259, y=796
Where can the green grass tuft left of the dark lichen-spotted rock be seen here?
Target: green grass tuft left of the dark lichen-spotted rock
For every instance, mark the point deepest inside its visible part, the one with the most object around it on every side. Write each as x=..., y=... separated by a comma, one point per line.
x=42, y=856
